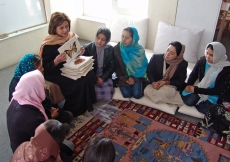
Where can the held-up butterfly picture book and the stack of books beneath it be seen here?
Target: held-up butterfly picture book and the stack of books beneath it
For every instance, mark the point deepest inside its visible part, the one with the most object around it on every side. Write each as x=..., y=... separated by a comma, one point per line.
x=76, y=66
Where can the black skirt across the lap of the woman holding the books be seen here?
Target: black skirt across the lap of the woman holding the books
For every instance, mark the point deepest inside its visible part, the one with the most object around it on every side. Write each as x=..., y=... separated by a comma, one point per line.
x=79, y=94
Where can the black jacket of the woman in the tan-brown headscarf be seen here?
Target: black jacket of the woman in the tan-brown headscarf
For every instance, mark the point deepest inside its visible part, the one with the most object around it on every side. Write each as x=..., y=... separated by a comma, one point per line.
x=155, y=71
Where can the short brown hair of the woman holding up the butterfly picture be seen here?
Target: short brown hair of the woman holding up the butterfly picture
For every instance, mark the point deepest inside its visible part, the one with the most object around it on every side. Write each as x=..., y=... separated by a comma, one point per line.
x=57, y=18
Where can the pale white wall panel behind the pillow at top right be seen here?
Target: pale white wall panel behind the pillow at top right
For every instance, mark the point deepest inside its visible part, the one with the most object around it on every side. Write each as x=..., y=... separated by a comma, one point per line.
x=194, y=14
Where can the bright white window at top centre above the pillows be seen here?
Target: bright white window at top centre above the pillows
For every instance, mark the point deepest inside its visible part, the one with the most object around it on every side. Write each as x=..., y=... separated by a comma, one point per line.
x=107, y=8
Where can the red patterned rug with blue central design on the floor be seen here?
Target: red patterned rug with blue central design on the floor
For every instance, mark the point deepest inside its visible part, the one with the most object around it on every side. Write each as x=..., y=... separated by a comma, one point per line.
x=142, y=134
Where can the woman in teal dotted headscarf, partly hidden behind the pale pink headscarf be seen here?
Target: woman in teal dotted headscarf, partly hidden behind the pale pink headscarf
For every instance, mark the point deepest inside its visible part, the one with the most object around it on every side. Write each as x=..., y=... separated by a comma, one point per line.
x=30, y=62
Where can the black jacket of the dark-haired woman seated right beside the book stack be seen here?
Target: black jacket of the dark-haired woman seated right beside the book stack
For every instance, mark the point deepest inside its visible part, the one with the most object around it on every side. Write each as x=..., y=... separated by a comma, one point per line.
x=108, y=62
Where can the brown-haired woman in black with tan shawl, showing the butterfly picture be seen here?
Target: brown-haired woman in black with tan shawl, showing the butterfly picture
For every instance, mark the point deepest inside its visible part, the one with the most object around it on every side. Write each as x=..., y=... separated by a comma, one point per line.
x=79, y=94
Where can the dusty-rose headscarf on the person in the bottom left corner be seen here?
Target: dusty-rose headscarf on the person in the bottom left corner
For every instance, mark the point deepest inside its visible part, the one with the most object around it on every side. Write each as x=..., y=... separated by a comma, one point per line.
x=41, y=147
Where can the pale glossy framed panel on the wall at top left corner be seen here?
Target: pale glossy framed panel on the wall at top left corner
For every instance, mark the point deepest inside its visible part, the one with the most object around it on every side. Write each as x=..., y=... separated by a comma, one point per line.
x=21, y=14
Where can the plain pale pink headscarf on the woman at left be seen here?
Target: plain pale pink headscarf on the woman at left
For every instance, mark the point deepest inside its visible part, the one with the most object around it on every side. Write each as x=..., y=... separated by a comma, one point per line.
x=30, y=90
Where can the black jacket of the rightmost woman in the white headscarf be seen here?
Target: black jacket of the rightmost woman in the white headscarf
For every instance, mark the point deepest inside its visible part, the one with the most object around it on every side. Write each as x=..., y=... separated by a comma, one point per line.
x=198, y=73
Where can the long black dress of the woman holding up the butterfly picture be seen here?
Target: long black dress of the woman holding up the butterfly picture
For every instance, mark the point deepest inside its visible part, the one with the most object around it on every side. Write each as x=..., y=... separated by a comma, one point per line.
x=80, y=93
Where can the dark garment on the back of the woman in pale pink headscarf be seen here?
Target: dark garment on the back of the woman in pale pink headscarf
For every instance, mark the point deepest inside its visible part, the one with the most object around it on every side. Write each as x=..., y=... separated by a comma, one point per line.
x=22, y=120
